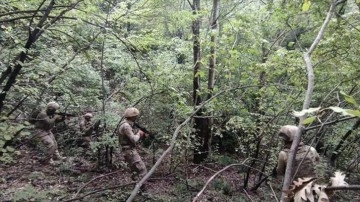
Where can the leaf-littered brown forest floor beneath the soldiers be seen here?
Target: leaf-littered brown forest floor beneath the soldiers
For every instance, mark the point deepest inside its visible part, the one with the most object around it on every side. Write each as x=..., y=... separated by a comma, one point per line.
x=78, y=179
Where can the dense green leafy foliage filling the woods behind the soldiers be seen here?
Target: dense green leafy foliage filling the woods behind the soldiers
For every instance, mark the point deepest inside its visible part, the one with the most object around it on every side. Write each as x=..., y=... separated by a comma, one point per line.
x=104, y=56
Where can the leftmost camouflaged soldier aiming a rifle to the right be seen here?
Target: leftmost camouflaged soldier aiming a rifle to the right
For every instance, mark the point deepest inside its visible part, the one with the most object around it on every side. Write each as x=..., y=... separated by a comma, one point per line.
x=45, y=121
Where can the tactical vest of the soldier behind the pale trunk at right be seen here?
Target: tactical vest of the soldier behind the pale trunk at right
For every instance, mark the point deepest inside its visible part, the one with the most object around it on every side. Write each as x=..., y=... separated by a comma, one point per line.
x=307, y=166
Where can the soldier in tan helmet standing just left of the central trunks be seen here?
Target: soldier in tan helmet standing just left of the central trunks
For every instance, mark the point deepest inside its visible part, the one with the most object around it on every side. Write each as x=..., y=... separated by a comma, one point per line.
x=128, y=138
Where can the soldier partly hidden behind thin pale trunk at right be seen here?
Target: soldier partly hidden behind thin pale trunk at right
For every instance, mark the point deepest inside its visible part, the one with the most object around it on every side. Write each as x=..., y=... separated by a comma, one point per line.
x=306, y=156
